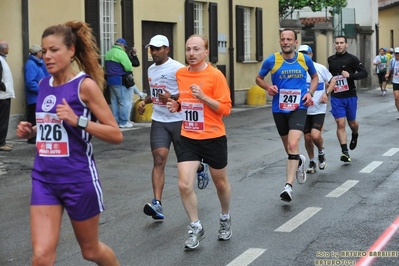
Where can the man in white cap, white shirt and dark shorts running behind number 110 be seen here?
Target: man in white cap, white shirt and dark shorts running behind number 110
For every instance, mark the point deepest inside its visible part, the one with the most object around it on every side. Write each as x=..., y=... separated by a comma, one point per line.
x=165, y=126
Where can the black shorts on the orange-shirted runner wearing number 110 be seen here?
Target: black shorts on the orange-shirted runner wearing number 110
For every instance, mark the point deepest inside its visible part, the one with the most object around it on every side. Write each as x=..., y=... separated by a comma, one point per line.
x=212, y=151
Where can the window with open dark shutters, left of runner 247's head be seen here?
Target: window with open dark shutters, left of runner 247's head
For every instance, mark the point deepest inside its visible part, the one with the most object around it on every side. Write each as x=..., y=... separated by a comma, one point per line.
x=249, y=34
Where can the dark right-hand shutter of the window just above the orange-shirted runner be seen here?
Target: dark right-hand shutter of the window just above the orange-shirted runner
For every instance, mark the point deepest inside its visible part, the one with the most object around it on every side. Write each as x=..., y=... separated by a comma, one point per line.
x=213, y=32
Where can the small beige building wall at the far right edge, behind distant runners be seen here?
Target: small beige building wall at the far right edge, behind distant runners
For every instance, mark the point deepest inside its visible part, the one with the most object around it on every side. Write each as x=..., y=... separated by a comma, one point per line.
x=388, y=21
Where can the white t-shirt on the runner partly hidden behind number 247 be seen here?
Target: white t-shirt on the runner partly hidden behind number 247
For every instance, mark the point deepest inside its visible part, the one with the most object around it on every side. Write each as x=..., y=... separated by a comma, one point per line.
x=324, y=76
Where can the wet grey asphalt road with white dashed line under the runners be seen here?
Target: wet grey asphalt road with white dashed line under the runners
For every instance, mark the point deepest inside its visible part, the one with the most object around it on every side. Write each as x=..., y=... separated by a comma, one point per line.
x=336, y=215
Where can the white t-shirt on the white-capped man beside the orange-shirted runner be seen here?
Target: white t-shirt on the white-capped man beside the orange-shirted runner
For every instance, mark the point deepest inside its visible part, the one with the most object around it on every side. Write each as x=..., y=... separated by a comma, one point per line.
x=162, y=77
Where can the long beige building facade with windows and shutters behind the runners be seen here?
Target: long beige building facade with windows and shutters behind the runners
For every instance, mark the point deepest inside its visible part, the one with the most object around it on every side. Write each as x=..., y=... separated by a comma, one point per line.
x=241, y=34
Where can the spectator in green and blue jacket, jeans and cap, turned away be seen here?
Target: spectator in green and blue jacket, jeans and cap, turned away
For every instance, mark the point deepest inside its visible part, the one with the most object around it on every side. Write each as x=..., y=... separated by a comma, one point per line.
x=117, y=64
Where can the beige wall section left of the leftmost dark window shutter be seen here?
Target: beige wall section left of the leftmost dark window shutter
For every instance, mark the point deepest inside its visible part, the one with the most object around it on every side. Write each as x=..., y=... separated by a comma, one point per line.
x=42, y=13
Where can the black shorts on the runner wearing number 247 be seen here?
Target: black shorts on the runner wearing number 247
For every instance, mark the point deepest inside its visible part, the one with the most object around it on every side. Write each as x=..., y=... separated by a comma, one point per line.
x=286, y=122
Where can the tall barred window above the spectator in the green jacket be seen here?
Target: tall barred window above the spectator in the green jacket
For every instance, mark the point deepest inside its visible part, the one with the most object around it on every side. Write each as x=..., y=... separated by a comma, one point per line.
x=107, y=26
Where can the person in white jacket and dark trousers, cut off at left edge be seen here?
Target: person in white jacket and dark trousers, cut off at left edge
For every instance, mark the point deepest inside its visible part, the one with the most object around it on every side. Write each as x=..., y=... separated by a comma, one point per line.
x=6, y=93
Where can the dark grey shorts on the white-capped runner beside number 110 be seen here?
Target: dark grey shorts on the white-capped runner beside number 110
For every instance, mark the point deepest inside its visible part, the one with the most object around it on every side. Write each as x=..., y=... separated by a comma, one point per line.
x=163, y=134
